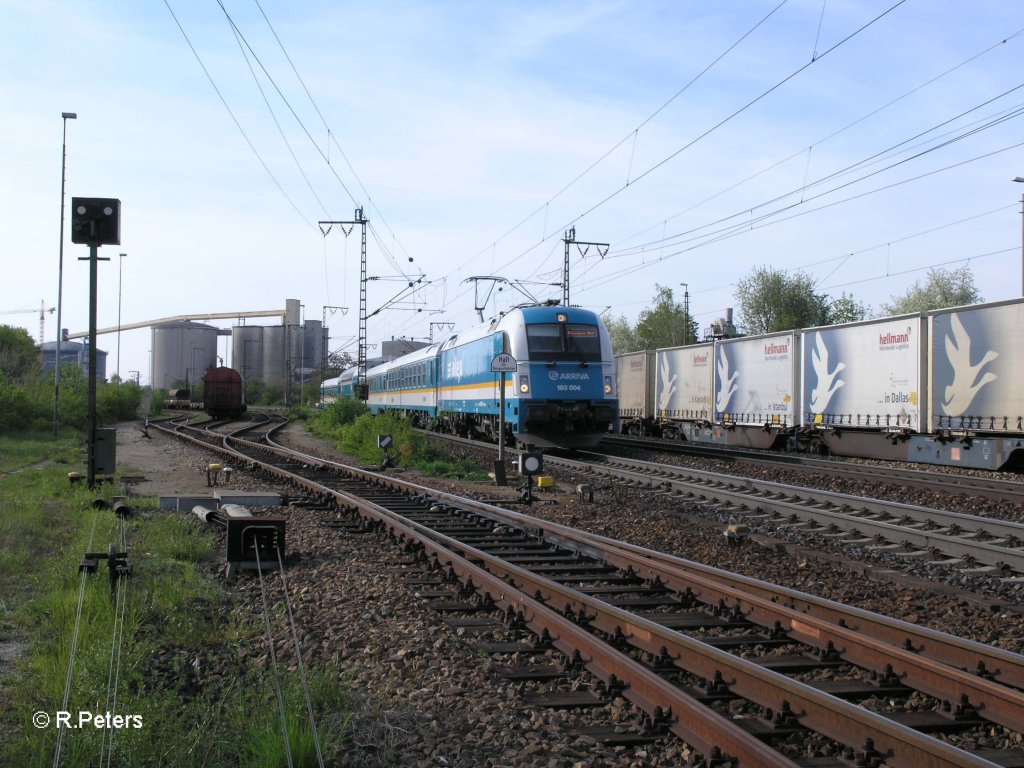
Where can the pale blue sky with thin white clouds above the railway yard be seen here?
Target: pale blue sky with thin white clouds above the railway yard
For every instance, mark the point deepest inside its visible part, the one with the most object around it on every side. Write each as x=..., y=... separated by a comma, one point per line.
x=479, y=133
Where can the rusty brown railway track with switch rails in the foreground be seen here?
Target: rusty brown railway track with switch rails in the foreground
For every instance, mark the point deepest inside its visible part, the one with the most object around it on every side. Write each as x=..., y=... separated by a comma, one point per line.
x=684, y=642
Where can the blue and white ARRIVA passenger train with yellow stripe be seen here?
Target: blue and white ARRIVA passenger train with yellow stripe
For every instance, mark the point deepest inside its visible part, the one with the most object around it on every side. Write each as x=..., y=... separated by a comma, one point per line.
x=562, y=393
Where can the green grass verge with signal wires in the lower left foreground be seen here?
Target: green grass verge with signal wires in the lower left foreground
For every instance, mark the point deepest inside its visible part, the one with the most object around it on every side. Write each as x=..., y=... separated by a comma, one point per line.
x=188, y=698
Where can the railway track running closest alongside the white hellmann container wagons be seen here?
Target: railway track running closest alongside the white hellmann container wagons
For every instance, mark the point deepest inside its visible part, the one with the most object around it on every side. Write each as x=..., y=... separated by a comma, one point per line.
x=986, y=488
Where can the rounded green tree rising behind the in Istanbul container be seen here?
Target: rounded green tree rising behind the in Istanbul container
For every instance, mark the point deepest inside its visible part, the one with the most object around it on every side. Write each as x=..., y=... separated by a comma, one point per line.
x=771, y=302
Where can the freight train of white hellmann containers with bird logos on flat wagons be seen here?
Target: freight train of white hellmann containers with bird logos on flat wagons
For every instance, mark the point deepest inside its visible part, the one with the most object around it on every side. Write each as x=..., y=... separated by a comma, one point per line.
x=940, y=388
